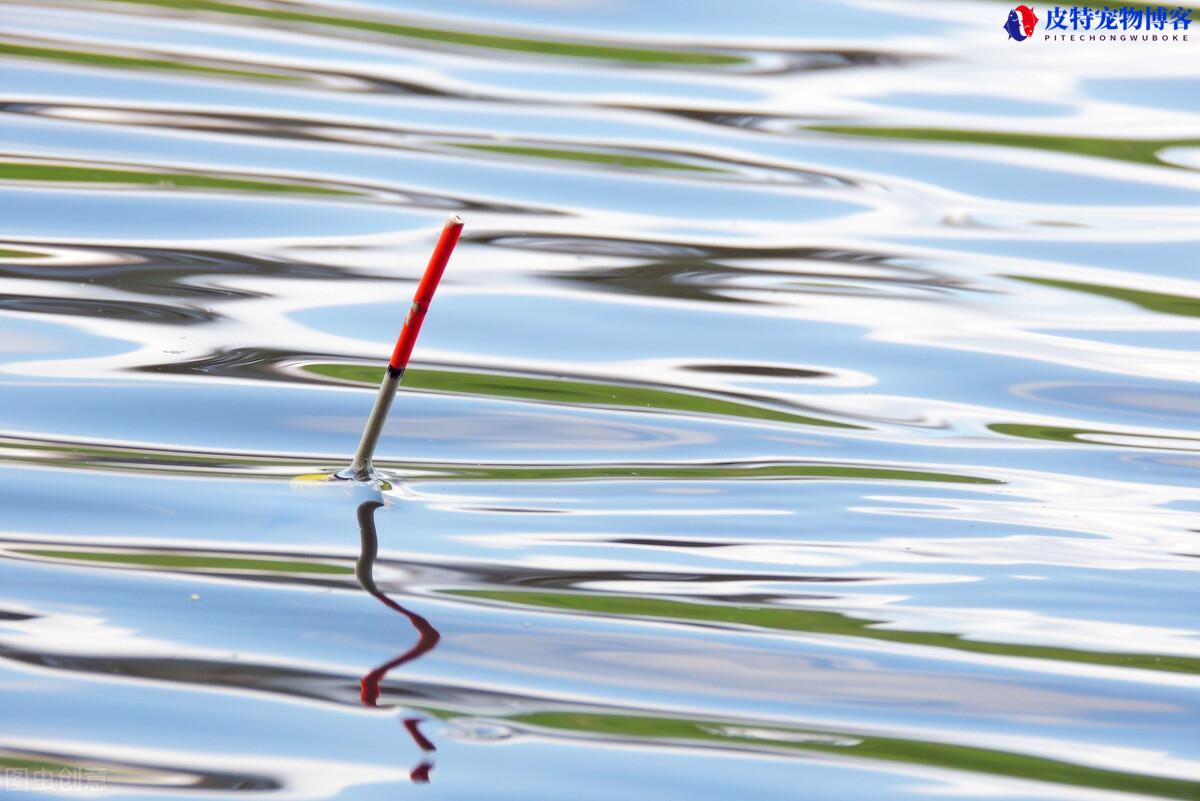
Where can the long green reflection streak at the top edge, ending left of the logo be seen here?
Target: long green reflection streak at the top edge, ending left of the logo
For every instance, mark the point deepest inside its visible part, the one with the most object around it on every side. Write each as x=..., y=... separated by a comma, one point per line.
x=490, y=41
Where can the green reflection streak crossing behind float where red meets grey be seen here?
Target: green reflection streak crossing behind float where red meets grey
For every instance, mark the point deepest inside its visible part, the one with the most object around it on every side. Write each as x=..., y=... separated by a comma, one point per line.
x=563, y=392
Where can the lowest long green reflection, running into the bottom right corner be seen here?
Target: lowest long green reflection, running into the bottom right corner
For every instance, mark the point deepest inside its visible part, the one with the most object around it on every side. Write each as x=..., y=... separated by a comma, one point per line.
x=915, y=752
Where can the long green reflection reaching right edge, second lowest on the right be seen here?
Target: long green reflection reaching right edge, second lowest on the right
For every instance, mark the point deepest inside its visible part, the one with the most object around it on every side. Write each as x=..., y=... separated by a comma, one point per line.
x=818, y=623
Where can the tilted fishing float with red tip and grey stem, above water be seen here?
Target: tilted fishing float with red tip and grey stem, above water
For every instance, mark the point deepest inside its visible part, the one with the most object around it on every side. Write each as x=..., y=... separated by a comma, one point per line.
x=361, y=468
